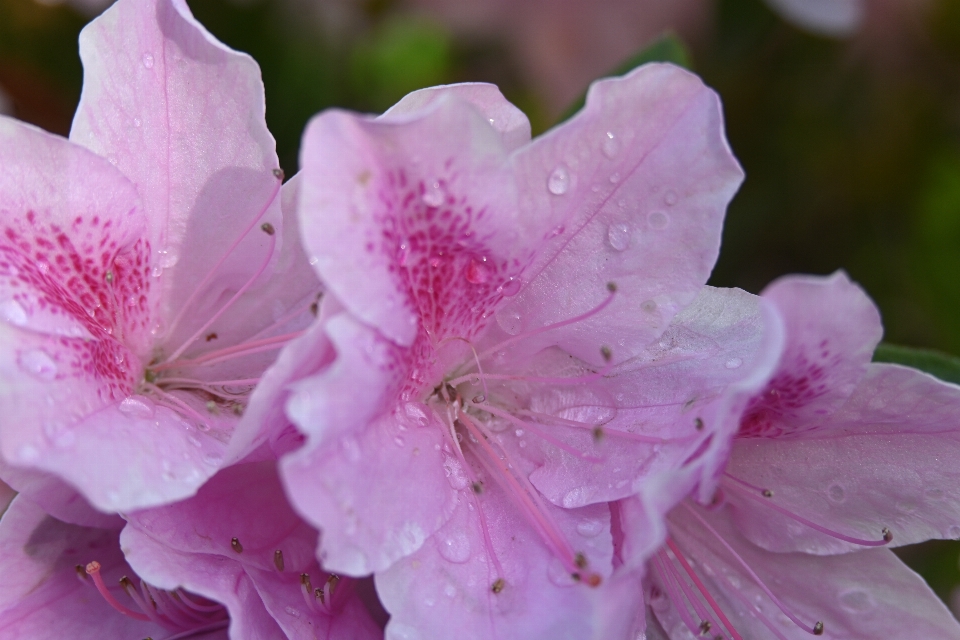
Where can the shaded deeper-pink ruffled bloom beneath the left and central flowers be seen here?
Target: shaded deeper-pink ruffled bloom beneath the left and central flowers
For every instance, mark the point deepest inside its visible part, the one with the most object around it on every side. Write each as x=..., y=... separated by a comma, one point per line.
x=238, y=542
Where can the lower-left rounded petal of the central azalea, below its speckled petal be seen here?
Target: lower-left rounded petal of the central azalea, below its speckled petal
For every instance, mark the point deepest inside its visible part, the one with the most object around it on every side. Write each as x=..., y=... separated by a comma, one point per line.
x=377, y=493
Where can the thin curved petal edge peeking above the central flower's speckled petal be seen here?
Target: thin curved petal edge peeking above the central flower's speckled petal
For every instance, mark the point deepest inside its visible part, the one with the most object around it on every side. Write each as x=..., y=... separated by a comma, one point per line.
x=512, y=124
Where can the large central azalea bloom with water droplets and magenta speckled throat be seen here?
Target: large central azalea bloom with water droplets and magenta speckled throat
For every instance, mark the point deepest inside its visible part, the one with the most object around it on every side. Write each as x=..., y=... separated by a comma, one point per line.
x=492, y=376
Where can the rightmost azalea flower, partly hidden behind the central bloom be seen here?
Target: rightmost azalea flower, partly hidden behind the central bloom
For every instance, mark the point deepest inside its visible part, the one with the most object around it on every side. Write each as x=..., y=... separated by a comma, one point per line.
x=835, y=458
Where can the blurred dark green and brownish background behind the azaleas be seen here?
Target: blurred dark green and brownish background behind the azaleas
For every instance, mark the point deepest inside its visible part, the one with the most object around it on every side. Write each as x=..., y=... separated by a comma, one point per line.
x=851, y=144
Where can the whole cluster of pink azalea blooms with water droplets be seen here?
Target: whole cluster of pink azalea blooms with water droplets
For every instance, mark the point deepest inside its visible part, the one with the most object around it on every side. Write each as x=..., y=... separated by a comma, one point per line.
x=447, y=382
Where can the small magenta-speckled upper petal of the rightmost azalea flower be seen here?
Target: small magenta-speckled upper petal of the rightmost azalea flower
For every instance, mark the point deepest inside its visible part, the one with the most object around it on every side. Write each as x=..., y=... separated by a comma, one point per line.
x=832, y=329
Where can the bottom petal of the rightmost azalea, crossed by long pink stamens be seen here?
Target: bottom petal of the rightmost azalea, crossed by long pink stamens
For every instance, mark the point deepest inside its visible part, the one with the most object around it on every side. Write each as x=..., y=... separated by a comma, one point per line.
x=857, y=596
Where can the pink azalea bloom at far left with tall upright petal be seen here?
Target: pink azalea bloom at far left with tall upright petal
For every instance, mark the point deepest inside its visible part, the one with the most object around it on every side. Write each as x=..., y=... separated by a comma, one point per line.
x=147, y=278
